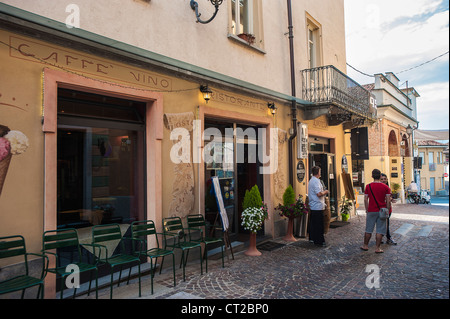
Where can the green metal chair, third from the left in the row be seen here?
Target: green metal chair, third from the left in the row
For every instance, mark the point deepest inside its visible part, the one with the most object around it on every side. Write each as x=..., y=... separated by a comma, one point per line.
x=108, y=233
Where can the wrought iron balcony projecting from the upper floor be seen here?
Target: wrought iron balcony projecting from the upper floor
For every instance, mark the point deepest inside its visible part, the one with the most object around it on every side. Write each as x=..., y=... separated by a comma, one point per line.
x=333, y=92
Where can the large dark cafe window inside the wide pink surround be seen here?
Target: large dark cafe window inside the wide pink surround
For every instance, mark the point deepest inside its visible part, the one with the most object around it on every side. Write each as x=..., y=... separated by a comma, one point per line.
x=101, y=155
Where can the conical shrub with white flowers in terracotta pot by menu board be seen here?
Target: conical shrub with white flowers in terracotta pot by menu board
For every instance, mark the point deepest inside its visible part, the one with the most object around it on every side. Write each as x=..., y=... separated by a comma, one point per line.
x=253, y=216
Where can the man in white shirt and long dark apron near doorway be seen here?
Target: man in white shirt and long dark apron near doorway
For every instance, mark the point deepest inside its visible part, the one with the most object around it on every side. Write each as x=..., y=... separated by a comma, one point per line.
x=316, y=195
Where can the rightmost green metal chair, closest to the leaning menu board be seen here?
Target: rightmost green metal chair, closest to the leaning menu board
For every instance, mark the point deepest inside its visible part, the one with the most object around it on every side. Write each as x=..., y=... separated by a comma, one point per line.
x=197, y=223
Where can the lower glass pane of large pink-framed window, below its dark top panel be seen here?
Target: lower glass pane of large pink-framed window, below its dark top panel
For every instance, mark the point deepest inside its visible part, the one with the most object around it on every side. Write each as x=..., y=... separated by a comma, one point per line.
x=98, y=176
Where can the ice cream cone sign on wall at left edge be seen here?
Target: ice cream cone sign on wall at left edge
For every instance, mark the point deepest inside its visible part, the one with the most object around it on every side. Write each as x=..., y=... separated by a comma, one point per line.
x=11, y=143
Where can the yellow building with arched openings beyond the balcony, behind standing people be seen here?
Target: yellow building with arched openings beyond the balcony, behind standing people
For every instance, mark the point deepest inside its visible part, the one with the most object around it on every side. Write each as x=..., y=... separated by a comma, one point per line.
x=390, y=143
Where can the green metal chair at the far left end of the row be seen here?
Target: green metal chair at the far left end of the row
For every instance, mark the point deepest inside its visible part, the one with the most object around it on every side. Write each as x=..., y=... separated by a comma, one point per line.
x=14, y=246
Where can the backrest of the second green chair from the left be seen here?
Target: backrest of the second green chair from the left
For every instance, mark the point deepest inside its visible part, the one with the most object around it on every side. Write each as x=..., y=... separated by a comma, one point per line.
x=61, y=238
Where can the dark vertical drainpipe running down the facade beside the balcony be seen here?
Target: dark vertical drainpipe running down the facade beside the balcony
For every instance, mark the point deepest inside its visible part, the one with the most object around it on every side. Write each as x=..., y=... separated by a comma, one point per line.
x=294, y=103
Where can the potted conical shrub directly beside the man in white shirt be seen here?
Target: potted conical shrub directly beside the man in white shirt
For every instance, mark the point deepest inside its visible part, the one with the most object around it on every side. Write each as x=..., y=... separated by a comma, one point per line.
x=291, y=209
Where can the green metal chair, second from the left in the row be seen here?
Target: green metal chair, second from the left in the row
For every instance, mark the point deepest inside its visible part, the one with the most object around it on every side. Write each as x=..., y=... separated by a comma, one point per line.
x=66, y=242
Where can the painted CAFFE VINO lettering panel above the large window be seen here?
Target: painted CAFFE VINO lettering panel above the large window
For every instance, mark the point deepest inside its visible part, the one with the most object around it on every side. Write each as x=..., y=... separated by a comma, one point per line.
x=53, y=56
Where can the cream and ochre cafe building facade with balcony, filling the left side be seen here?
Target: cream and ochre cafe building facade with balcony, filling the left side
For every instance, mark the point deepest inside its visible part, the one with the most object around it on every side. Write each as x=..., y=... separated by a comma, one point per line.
x=115, y=124
